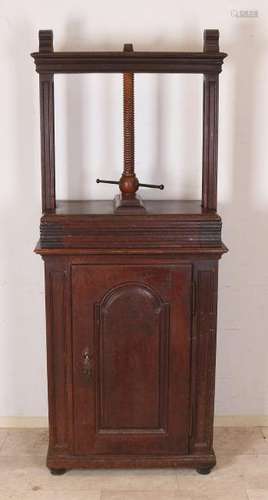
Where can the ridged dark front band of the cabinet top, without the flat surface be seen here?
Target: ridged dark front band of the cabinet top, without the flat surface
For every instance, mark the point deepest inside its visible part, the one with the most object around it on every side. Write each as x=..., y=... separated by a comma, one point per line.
x=57, y=232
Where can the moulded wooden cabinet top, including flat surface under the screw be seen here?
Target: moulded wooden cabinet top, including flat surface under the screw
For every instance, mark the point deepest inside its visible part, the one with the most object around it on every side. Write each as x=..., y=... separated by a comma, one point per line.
x=167, y=226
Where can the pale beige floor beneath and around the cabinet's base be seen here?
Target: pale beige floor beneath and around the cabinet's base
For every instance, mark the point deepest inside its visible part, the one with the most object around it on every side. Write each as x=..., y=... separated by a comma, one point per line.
x=241, y=472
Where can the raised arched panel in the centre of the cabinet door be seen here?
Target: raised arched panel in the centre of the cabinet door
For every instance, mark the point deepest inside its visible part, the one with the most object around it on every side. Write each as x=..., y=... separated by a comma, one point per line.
x=132, y=338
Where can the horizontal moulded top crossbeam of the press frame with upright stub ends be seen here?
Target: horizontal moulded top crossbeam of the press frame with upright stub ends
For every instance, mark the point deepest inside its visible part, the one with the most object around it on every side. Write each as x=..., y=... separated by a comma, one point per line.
x=208, y=61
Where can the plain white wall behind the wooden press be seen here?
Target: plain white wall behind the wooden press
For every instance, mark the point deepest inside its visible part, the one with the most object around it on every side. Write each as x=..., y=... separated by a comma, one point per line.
x=168, y=150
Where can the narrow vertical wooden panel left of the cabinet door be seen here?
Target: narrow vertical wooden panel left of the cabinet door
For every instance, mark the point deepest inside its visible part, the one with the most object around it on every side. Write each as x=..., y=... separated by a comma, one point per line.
x=57, y=357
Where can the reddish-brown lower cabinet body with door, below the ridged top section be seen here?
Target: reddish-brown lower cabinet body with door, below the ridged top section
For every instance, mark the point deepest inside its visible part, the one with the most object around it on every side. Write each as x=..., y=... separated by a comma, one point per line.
x=131, y=360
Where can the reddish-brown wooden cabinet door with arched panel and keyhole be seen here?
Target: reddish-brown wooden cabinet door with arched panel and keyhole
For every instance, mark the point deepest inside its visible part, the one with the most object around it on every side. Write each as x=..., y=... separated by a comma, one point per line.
x=131, y=366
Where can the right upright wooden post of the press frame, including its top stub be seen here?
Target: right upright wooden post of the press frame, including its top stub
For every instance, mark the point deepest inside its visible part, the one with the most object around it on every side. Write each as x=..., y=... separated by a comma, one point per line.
x=210, y=127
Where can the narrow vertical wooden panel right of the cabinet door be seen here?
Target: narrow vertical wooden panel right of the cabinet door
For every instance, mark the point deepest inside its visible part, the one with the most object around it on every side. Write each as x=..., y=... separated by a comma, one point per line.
x=204, y=355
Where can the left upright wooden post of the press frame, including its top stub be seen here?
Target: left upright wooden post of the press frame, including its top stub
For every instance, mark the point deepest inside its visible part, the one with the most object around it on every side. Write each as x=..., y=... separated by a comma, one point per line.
x=46, y=89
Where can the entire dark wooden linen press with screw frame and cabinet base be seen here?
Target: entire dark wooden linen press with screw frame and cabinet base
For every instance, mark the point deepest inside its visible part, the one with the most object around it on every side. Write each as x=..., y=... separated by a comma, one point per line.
x=131, y=290
